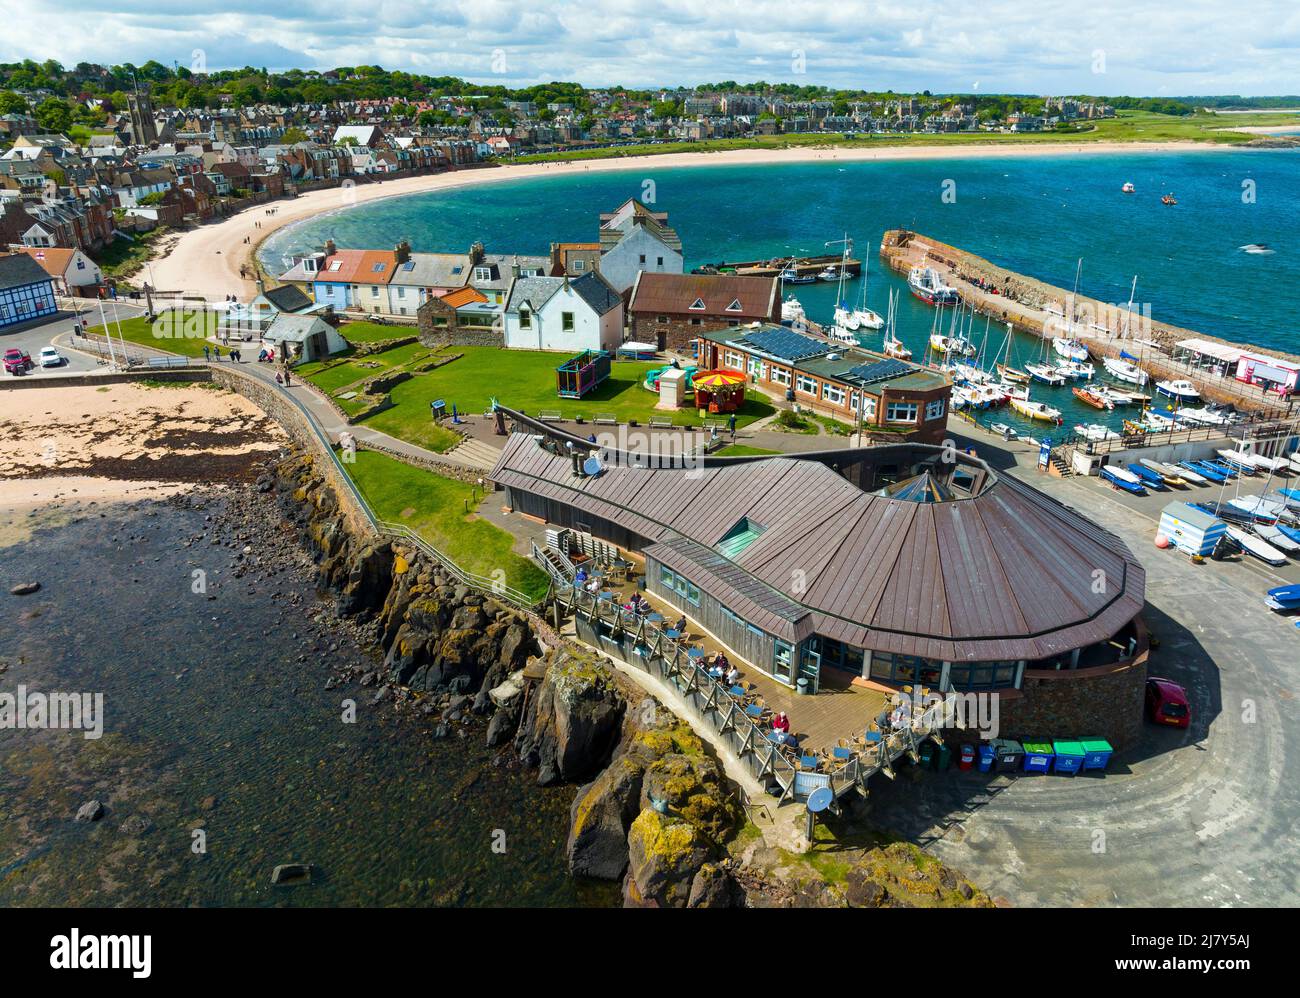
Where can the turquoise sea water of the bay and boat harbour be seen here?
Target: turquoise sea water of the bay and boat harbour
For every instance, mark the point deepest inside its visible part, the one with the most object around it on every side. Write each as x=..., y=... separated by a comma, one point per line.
x=1035, y=216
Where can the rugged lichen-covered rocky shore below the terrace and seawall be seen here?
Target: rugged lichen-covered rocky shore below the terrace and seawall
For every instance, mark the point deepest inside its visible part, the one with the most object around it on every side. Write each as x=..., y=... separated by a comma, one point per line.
x=653, y=808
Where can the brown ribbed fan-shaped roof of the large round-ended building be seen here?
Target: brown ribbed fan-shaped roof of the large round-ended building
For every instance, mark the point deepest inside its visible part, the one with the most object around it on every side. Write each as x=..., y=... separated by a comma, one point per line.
x=1006, y=575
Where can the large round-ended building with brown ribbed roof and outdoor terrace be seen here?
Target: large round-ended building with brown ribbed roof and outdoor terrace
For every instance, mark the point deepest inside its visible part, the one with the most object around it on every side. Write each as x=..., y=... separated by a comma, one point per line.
x=894, y=567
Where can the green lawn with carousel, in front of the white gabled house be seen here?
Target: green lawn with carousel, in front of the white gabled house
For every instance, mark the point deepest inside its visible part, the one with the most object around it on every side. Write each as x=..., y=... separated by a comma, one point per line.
x=526, y=381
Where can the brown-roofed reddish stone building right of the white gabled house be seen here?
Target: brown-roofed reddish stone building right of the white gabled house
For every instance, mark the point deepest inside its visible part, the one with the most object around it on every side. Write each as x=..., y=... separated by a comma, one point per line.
x=674, y=310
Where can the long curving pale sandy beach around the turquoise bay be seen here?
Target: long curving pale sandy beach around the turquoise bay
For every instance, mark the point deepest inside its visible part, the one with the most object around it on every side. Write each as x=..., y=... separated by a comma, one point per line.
x=206, y=262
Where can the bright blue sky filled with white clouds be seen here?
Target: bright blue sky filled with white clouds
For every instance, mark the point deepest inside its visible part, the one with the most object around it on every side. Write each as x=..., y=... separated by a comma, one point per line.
x=1098, y=47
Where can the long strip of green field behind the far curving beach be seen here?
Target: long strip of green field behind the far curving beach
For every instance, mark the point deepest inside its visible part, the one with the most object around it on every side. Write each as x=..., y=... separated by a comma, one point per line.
x=1128, y=127
